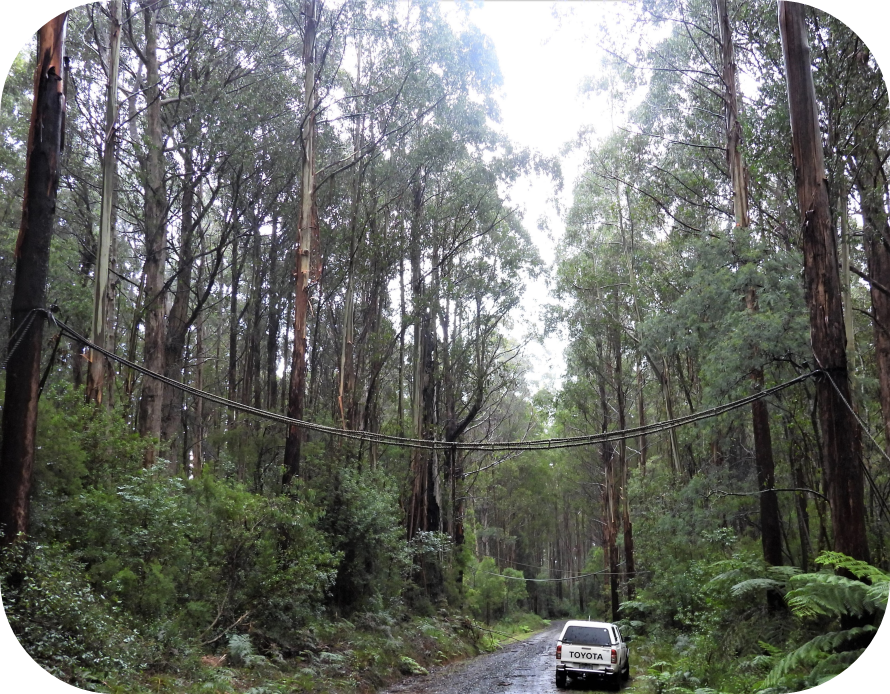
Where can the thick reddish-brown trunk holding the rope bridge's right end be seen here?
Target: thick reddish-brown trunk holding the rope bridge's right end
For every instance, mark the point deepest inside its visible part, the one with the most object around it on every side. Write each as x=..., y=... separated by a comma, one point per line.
x=822, y=286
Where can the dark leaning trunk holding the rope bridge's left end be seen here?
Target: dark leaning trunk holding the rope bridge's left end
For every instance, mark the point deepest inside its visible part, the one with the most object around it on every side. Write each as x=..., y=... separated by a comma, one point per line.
x=45, y=143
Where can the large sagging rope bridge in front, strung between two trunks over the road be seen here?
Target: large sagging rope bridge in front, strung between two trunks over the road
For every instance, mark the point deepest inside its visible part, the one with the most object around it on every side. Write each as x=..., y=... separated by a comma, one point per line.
x=386, y=439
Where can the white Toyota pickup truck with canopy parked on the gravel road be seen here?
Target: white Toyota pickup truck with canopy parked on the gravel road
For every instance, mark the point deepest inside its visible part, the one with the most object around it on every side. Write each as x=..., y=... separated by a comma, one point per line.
x=591, y=650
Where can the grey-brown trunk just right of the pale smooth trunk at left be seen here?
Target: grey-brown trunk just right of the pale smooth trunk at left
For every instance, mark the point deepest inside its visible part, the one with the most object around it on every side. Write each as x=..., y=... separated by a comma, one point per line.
x=155, y=242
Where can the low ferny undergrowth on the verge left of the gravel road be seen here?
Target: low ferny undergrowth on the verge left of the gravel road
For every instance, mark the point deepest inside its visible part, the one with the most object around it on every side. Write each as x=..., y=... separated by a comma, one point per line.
x=362, y=655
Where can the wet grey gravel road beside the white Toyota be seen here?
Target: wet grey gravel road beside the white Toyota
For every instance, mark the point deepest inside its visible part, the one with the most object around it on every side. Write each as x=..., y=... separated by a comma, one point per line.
x=521, y=668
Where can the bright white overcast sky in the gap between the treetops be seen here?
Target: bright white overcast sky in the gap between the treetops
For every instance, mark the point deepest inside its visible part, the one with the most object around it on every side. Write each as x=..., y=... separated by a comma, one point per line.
x=546, y=50
